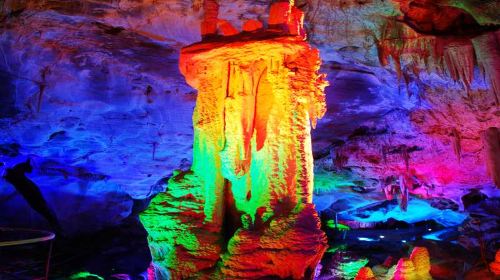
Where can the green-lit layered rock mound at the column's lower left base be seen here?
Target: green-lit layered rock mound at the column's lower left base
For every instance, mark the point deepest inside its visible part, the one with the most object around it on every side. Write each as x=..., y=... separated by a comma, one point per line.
x=181, y=243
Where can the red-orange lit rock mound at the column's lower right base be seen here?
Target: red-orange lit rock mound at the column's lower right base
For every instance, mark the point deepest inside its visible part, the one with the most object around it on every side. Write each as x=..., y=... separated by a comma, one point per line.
x=290, y=247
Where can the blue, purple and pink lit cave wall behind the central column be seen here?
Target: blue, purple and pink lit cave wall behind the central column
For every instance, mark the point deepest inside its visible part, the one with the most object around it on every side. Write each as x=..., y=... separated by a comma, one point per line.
x=95, y=97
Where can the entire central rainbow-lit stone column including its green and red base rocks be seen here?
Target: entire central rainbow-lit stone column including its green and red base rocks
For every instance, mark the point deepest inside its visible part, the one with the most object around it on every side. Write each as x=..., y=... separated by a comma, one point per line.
x=251, y=183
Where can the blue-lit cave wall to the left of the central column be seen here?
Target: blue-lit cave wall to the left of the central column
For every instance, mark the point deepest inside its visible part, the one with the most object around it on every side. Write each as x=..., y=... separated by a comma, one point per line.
x=102, y=113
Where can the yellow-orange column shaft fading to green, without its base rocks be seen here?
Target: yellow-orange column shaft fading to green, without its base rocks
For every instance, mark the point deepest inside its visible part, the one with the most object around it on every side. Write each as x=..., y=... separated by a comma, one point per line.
x=243, y=118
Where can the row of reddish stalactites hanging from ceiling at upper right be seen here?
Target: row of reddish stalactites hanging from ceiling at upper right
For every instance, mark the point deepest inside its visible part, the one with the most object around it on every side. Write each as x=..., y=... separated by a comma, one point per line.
x=451, y=56
